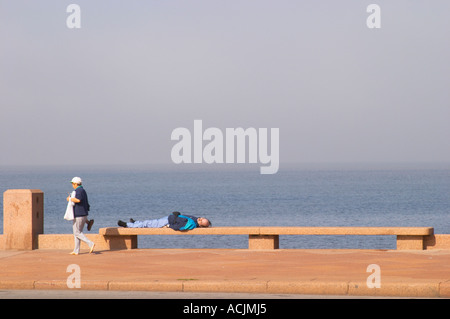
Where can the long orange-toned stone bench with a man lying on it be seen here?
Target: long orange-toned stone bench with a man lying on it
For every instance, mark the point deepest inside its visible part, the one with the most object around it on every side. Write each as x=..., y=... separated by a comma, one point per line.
x=268, y=237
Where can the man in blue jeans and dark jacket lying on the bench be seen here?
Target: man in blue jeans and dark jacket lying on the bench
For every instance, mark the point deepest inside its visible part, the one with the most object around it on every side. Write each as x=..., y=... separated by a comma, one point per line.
x=176, y=221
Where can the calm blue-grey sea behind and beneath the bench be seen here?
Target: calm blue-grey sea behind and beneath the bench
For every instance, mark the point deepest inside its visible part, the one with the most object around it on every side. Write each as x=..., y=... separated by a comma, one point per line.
x=243, y=197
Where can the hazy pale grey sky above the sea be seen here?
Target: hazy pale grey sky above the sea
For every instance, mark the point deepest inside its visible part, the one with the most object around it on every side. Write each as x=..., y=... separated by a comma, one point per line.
x=112, y=91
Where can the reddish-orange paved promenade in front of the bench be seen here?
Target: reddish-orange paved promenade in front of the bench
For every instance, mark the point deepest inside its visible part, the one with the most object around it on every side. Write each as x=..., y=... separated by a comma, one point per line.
x=424, y=273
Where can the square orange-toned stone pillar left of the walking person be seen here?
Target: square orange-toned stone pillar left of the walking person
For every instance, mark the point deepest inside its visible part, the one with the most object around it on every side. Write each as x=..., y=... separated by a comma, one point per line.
x=23, y=218
